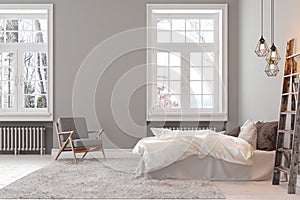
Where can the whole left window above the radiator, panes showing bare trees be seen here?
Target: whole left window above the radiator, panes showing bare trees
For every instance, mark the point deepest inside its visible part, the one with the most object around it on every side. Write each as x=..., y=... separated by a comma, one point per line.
x=26, y=62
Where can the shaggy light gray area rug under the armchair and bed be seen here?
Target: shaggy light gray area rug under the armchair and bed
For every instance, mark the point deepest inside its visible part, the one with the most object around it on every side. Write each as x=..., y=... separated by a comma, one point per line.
x=97, y=179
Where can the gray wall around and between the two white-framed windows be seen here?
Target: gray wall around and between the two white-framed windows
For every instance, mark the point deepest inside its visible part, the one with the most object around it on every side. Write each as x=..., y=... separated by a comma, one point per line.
x=79, y=27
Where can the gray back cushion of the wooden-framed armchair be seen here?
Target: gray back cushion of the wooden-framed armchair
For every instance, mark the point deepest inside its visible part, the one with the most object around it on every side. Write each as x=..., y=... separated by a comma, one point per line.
x=77, y=124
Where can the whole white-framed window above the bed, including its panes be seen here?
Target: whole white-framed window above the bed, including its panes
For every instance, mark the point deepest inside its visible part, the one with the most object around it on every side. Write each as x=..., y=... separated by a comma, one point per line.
x=187, y=62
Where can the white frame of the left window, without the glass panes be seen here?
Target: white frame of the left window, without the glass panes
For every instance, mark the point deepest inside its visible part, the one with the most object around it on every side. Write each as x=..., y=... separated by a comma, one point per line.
x=20, y=114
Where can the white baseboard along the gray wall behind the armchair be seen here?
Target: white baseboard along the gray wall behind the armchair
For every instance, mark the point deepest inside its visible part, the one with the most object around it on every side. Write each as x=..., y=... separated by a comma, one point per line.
x=109, y=153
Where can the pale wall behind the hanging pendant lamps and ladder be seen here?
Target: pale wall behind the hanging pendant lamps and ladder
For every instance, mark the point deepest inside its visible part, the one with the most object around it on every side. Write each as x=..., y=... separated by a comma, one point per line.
x=259, y=95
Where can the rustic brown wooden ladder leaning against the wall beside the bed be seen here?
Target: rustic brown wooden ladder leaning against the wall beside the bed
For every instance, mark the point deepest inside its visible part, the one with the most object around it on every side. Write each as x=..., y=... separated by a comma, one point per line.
x=288, y=135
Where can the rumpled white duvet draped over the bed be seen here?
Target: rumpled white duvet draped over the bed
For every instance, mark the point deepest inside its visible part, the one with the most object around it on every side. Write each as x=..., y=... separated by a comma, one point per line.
x=160, y=151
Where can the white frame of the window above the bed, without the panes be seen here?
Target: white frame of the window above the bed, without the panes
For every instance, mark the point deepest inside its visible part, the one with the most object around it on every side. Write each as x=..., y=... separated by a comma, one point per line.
x=183, y=114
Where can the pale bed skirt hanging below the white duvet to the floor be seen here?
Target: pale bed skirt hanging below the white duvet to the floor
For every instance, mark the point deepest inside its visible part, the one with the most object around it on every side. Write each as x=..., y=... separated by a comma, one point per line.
x=215, y=169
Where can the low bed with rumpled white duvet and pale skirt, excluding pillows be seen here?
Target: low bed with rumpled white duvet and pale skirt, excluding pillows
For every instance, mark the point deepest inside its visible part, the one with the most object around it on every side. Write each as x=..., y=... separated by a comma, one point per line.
x=203, y=154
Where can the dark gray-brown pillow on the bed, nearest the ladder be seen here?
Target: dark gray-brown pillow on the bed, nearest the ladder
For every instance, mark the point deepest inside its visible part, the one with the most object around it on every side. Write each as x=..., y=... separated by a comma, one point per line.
x=266, y=135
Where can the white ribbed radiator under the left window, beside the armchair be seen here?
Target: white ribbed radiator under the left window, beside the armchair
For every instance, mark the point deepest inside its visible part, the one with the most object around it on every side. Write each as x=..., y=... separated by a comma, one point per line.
x=19, y=139
